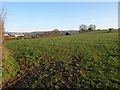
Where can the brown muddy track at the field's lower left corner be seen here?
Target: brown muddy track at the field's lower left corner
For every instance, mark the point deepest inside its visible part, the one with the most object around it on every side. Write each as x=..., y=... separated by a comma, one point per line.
x=28, y=76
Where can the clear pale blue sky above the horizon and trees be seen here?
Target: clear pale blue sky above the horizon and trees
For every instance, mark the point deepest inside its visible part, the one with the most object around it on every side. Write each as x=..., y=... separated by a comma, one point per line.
x=47, y=16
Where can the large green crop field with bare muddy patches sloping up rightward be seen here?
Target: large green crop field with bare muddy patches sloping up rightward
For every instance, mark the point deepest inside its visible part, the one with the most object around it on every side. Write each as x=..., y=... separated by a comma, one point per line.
x=85, y=60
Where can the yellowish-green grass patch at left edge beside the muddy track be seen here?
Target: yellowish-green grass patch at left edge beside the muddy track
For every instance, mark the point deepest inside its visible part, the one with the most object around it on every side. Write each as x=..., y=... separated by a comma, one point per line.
x=10, y=68
